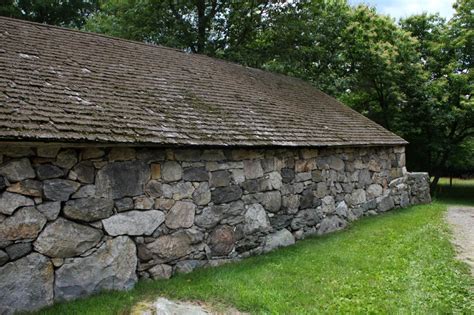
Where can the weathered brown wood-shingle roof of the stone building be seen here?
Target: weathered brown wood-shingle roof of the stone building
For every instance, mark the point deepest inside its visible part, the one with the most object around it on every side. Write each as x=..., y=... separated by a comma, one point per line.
x=63, y=85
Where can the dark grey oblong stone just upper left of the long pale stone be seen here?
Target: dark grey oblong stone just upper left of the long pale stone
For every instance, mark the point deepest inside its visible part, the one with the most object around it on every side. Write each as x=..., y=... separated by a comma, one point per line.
x=88, y=209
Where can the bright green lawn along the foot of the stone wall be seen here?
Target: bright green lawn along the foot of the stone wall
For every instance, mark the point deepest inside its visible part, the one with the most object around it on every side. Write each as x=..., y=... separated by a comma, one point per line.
x=399, y=262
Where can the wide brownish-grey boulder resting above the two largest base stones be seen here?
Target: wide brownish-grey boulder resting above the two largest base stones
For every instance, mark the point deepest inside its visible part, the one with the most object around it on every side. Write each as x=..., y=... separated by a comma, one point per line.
x=63, y=238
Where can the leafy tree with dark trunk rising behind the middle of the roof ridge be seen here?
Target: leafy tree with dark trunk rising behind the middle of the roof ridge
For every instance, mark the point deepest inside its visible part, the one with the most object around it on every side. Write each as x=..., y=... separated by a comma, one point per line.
x=212, y=27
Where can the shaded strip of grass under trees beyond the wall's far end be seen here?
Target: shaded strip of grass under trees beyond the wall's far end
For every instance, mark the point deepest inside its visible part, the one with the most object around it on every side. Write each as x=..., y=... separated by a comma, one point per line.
x=462, y=191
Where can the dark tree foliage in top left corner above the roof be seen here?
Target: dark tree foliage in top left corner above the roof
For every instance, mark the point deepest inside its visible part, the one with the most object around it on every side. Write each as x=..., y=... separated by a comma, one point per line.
x=69, y=13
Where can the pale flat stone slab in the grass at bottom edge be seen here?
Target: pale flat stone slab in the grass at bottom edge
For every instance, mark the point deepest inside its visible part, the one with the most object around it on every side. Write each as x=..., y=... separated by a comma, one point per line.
x=164, y=306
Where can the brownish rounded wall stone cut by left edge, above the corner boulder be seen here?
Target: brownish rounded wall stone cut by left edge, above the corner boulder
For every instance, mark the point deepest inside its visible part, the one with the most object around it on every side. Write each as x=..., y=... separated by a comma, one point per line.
x=26, y=223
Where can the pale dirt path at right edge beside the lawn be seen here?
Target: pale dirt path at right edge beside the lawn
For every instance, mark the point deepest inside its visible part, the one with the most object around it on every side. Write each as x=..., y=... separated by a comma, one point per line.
x=462, y=220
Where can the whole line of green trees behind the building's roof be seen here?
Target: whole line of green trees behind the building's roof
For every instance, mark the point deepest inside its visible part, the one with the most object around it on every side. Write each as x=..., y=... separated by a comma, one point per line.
x=414, y=76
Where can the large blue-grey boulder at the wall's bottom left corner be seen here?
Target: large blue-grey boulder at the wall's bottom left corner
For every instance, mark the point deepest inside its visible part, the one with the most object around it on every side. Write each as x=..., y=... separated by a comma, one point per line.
x=26, y=284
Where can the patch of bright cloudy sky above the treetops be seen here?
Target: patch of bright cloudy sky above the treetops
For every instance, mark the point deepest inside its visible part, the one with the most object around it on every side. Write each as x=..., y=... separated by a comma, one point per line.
x=403, y=8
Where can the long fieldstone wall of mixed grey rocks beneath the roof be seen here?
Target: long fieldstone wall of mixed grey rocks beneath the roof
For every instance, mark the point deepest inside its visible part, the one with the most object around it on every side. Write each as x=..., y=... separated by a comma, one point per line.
x=74, y=221
